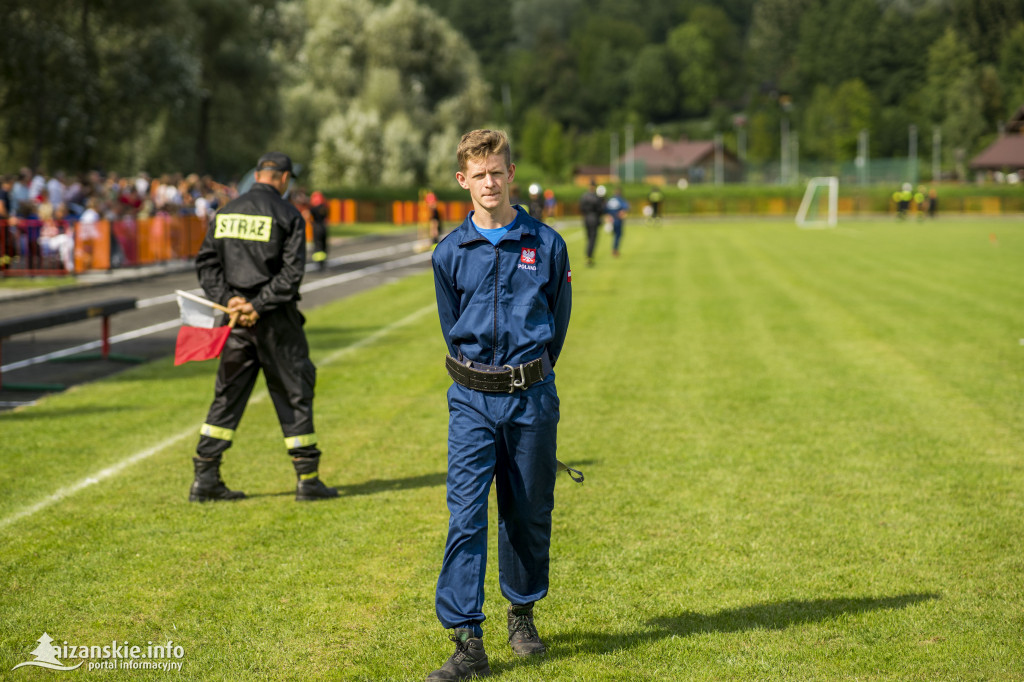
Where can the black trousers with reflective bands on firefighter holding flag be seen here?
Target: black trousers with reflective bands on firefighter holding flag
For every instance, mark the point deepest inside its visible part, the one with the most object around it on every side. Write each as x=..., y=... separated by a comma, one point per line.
x=277, y=345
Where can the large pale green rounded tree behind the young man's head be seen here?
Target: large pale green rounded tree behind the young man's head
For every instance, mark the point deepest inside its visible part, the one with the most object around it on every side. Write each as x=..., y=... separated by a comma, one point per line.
x=388, y=81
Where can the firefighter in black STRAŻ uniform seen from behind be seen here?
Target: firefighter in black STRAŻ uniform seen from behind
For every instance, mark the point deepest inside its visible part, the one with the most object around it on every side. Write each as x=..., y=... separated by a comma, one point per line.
x=252, y=261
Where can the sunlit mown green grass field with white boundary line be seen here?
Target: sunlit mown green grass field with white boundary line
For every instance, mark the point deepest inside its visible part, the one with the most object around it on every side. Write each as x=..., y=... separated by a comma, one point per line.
x=803, y=453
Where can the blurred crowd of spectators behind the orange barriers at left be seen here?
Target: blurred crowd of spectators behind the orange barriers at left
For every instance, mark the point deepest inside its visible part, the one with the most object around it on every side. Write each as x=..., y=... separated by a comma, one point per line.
x=39, y=212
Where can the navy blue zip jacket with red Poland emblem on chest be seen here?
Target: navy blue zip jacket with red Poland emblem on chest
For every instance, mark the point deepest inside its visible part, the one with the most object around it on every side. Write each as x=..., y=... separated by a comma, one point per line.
x=504, y=305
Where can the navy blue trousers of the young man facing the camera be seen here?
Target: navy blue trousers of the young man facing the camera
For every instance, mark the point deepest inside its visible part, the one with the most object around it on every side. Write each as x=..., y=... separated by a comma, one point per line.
x=511, y=439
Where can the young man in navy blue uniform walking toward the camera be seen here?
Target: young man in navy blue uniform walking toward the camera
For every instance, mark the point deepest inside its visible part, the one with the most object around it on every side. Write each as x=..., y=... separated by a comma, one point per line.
x=504, y=295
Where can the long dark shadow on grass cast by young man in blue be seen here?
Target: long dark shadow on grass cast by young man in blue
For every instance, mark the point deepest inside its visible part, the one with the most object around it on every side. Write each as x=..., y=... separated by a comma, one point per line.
x=774, y=616
